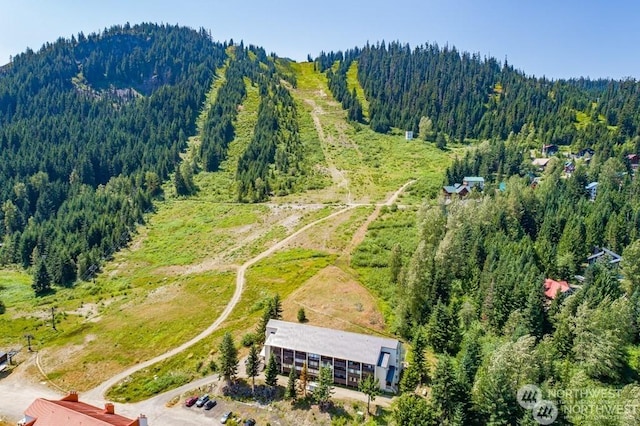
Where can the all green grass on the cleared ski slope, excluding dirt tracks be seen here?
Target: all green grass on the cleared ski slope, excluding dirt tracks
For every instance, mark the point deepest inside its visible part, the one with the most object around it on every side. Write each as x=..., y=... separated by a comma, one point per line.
x=175, y=278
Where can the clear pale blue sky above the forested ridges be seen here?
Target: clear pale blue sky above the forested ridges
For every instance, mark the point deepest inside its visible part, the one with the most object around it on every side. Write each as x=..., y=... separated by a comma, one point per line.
x=555, y=39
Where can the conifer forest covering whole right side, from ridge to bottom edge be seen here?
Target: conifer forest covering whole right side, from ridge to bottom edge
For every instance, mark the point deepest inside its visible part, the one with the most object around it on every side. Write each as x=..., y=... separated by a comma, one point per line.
x=469, y=287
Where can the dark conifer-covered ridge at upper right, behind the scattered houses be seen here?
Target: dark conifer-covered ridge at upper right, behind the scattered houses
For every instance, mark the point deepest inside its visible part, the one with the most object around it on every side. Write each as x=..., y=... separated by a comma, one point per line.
x=465, y=96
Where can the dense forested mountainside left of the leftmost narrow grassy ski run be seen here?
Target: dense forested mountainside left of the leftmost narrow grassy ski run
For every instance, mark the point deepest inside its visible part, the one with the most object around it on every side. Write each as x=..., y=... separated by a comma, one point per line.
x=89, y=129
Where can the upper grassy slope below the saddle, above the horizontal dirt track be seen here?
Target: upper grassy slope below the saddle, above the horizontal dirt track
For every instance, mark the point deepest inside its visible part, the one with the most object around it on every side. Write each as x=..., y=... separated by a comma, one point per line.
x=373, y=164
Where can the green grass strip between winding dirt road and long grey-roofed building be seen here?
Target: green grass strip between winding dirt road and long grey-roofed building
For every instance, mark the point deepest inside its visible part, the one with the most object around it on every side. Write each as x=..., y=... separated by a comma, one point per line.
x=280, y=274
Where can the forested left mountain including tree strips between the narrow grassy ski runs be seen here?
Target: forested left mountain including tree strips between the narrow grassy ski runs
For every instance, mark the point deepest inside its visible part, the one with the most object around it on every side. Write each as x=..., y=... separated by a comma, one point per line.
x=91, y=126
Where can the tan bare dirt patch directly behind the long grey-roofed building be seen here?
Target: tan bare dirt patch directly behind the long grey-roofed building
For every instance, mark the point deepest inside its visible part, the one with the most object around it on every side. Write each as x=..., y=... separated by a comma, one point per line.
x=334, y=299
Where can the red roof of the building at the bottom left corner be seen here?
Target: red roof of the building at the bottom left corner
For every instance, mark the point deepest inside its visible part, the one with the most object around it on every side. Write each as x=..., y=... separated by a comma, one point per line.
x=65, y=413
